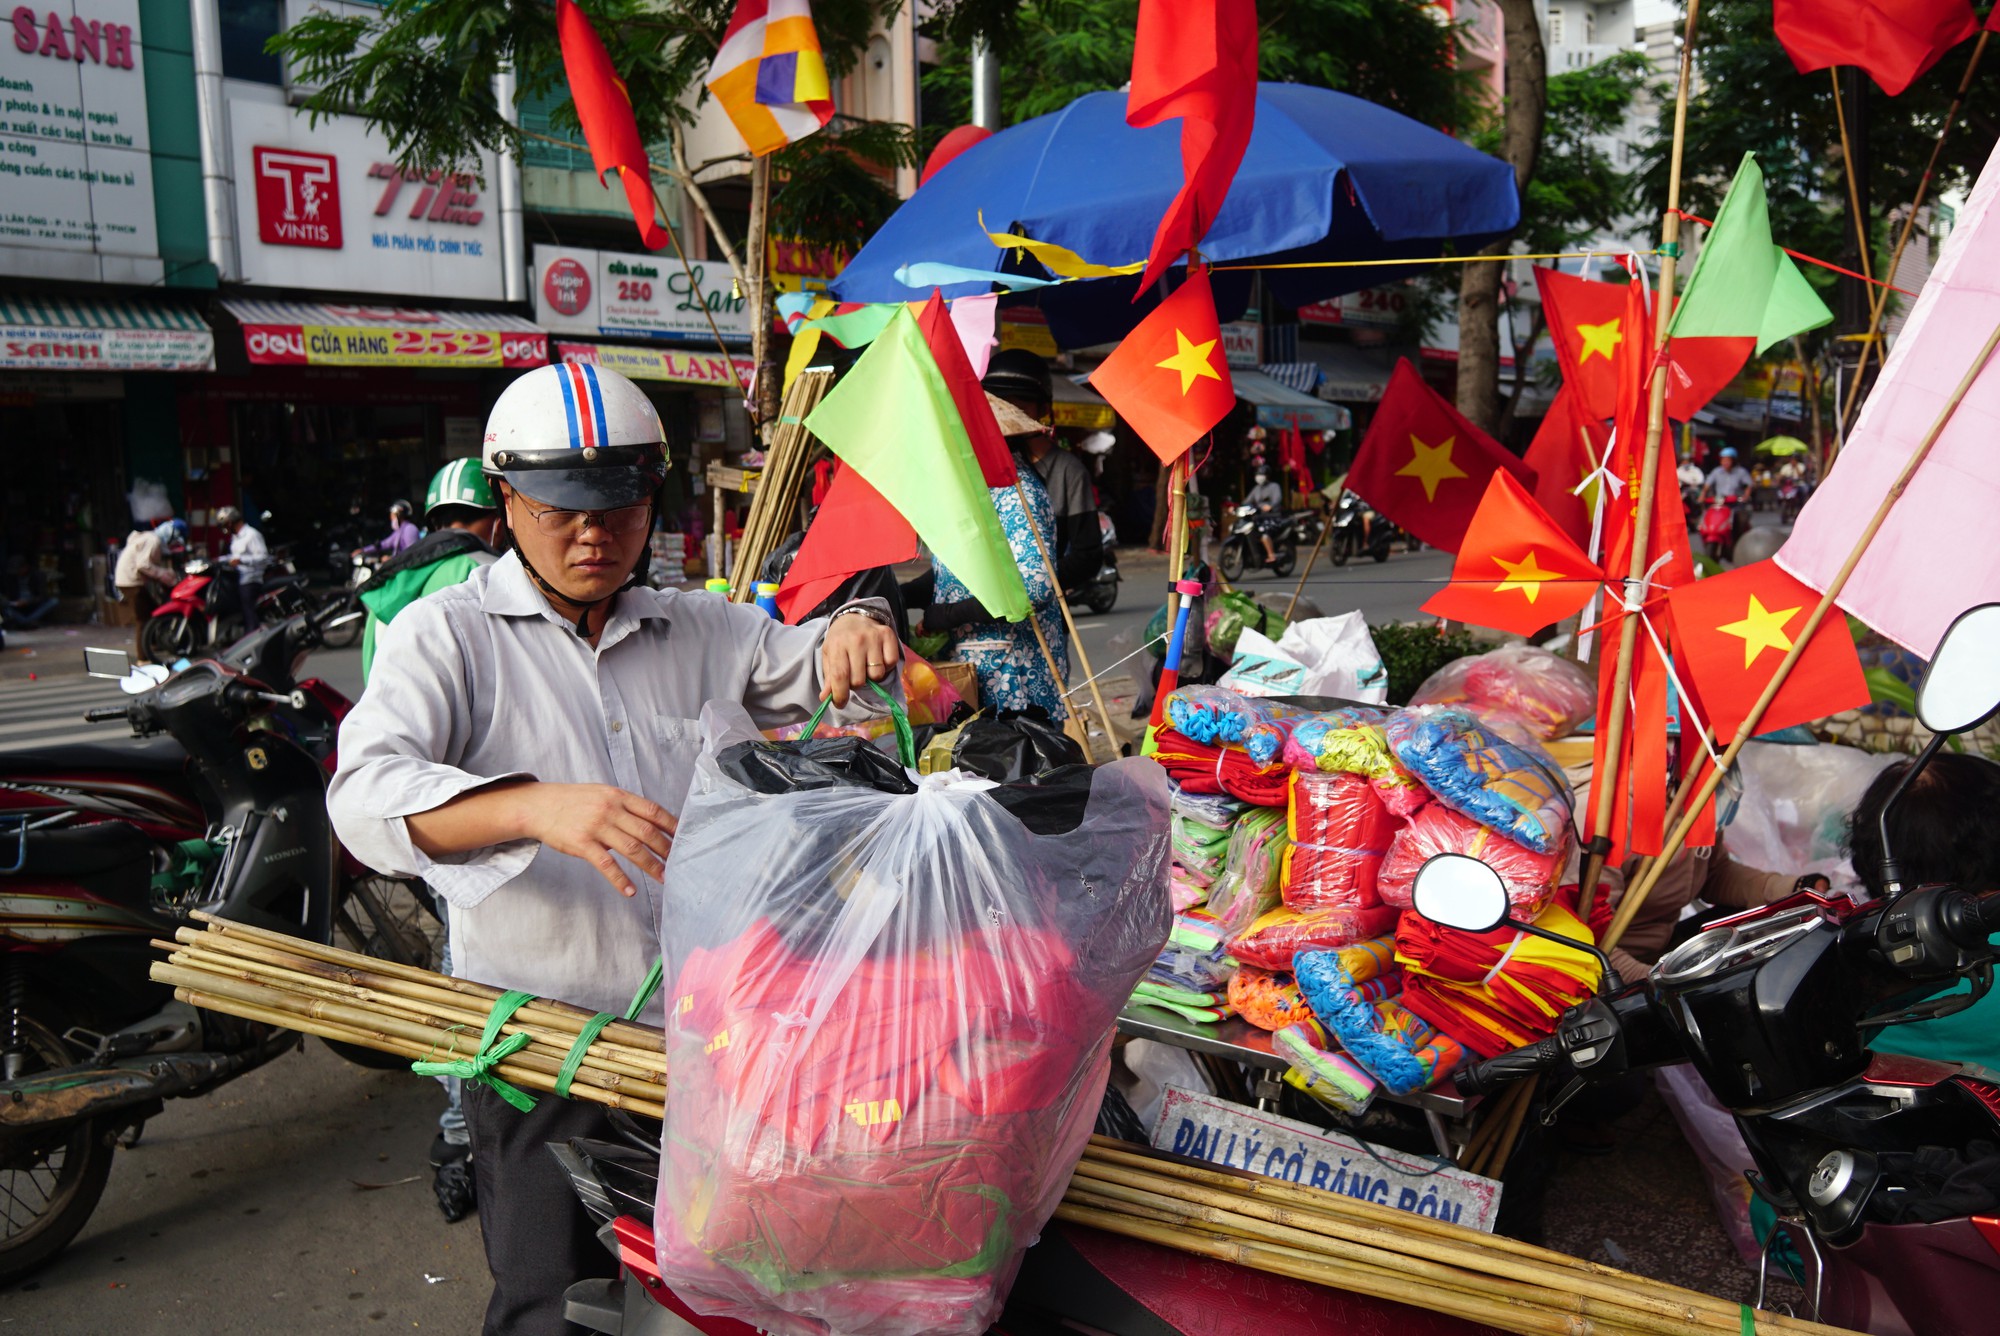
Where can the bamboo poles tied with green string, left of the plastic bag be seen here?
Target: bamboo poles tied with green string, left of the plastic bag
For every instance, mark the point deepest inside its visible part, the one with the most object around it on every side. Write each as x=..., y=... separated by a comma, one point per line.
x=409, y=1013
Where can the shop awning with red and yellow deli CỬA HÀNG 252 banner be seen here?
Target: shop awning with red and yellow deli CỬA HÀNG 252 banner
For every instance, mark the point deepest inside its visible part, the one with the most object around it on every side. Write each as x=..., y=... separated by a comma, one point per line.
x=327, y=335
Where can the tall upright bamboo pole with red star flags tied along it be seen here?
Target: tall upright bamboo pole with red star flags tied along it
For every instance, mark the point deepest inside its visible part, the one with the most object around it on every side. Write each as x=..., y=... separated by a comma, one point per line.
x=1605, y=793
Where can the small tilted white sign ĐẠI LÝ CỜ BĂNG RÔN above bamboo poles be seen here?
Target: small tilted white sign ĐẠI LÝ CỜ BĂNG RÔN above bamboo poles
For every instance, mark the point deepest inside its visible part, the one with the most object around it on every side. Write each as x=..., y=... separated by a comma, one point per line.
x=1207, y=1129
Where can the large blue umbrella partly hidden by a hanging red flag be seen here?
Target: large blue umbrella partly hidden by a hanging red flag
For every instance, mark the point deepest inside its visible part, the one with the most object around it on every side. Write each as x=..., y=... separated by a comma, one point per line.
x=1327, y=177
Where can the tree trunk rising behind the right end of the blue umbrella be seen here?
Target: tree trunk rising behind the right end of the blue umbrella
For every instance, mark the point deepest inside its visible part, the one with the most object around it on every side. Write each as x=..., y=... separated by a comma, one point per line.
x=1521, y=143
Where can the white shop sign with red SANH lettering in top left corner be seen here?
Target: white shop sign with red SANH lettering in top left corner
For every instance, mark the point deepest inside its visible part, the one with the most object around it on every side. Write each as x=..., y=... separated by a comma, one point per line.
x=75, y=149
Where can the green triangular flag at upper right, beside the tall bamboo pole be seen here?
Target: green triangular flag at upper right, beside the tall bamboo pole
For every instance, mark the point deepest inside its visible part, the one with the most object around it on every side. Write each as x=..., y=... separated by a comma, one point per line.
x=1743, y=285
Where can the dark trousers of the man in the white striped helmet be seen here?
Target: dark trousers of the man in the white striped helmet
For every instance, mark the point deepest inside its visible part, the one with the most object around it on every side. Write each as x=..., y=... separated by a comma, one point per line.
x=539, y=1237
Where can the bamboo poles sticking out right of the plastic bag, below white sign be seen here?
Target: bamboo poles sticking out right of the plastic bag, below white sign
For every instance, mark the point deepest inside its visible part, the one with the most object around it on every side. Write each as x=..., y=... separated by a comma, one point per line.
x=1337, y=1241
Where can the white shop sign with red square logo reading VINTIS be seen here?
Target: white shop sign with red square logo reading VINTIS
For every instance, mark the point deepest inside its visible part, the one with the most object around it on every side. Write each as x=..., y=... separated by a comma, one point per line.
x=327, y=207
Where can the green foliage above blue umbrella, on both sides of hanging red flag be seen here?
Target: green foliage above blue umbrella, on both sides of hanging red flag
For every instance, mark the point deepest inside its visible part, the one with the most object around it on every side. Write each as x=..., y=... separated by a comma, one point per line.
x=1055, y=51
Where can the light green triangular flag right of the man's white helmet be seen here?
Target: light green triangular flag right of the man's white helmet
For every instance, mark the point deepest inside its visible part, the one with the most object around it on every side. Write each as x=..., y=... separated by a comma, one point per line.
x=893, y=419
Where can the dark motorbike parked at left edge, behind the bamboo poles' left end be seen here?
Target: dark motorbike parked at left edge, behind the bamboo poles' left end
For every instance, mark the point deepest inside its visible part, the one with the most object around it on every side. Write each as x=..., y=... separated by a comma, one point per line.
x=217, y=807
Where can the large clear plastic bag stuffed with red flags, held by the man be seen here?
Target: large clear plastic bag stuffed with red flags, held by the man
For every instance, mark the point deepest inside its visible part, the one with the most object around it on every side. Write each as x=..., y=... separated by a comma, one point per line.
x=889, y=1033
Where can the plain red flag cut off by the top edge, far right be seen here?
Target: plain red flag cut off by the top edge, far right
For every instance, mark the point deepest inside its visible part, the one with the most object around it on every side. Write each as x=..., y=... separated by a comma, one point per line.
x=1895, y=41
